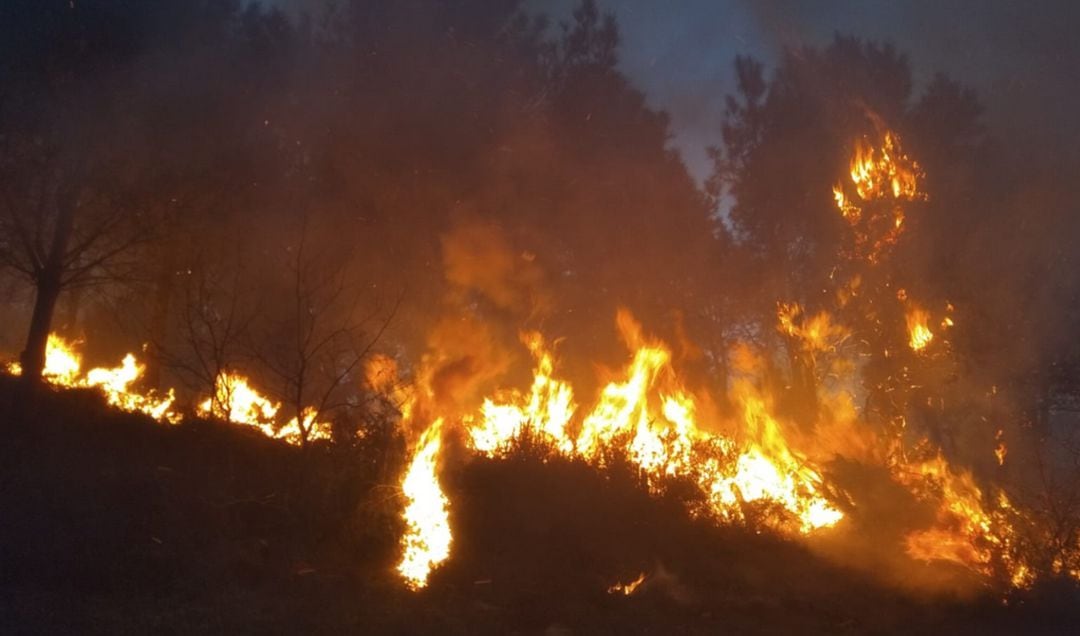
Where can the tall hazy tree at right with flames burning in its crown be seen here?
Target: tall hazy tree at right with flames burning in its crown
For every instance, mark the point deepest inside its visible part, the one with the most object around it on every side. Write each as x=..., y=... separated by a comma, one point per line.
x=787, y=143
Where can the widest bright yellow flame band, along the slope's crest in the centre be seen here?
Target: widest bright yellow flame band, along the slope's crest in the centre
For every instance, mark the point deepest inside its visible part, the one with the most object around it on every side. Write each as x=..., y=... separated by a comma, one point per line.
x=652, y=420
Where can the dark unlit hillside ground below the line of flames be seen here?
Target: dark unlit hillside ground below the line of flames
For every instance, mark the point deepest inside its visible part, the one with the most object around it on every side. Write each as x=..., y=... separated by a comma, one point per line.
x=113, y=524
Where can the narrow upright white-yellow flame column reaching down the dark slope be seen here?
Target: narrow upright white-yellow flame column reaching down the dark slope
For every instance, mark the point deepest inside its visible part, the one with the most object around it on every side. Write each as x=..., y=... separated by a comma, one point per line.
x=427, y=542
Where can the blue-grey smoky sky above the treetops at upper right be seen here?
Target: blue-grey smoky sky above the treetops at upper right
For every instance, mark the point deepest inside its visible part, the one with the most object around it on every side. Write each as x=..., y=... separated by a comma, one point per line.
x=1021, y=58
